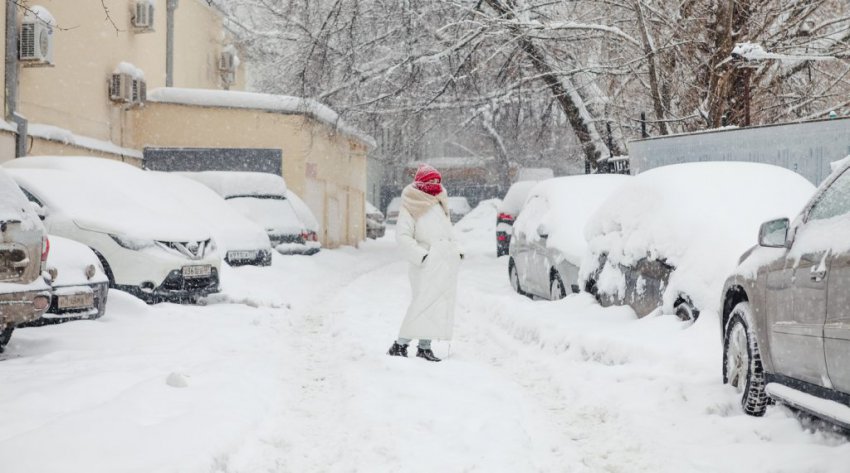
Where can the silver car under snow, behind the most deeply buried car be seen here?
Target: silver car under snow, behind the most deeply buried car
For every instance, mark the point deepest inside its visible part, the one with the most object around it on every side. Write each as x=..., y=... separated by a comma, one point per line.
x=548, y=243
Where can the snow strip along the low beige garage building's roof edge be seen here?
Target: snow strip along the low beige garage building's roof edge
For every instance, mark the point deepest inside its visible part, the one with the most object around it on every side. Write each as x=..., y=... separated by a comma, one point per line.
x=252, y=100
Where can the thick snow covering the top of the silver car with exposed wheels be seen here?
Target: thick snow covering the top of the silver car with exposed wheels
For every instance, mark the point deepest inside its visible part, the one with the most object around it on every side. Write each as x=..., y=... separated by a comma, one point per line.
x=566, y=204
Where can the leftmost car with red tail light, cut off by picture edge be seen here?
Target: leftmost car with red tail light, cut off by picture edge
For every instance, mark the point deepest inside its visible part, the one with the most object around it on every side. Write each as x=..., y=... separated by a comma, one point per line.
x=24, y=247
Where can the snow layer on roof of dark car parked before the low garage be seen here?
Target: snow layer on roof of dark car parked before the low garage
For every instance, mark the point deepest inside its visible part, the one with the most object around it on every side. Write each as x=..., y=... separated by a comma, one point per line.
x=229, y=184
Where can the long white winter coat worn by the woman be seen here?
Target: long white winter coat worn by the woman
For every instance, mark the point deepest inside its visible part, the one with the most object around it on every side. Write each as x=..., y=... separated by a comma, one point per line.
x=434, y=282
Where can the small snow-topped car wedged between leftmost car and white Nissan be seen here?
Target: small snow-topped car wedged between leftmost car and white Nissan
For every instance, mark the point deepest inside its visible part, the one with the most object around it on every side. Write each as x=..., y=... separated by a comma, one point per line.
x=78, y=281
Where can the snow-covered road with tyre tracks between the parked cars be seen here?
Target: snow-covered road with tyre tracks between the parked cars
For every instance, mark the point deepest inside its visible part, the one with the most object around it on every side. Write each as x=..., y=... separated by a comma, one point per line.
x=286, y=372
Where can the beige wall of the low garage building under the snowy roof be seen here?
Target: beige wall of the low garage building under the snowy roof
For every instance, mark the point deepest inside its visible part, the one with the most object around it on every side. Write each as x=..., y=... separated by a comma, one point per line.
x=327, y=169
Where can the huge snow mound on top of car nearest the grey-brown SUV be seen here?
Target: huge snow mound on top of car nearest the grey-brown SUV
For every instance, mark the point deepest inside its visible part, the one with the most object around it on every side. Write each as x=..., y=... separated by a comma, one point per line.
x=698, y=217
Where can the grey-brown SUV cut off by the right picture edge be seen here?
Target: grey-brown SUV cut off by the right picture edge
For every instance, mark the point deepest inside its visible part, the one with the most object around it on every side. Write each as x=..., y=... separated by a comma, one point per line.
x=785, y=322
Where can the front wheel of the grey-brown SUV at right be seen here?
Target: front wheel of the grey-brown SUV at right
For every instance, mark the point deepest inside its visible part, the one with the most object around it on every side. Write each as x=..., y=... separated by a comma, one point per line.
x=742, y=368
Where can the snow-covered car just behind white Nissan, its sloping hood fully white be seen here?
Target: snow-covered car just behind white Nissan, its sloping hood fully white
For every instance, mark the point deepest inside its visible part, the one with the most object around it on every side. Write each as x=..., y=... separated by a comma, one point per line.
x=241, y=240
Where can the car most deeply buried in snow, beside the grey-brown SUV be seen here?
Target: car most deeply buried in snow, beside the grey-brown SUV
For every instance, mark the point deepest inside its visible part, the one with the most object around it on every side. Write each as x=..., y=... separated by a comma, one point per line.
x=669, y=237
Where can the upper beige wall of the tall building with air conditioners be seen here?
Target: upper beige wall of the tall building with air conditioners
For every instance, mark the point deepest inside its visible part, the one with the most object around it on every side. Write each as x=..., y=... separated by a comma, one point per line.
x=87, y=48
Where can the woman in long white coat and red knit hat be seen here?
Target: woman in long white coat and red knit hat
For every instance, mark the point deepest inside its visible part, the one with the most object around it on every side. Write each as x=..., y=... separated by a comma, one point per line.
x=424, y=234
